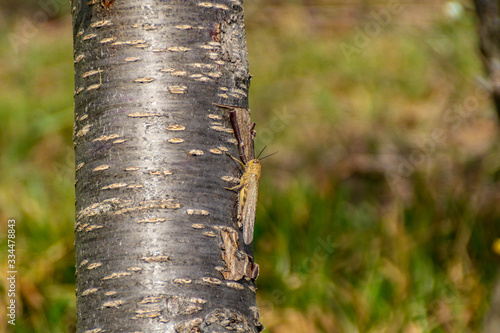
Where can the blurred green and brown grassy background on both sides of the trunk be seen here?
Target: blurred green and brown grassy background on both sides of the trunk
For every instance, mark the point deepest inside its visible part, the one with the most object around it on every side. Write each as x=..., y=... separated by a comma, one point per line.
x=378, y=214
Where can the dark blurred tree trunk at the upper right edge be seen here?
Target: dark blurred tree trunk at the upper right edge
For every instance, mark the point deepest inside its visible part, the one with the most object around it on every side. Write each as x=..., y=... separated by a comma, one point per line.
x=489, y=36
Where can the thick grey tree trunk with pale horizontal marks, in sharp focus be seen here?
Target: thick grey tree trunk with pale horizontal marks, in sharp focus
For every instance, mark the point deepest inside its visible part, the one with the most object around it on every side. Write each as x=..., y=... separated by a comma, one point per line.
x=151, y=169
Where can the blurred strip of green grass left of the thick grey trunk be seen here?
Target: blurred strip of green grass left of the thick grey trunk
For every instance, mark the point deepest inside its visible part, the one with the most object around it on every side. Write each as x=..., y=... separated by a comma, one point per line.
x=37, y=175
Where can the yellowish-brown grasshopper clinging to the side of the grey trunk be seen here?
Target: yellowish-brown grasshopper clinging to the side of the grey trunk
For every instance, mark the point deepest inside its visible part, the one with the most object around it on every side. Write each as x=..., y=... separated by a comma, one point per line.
x=247, y=196
